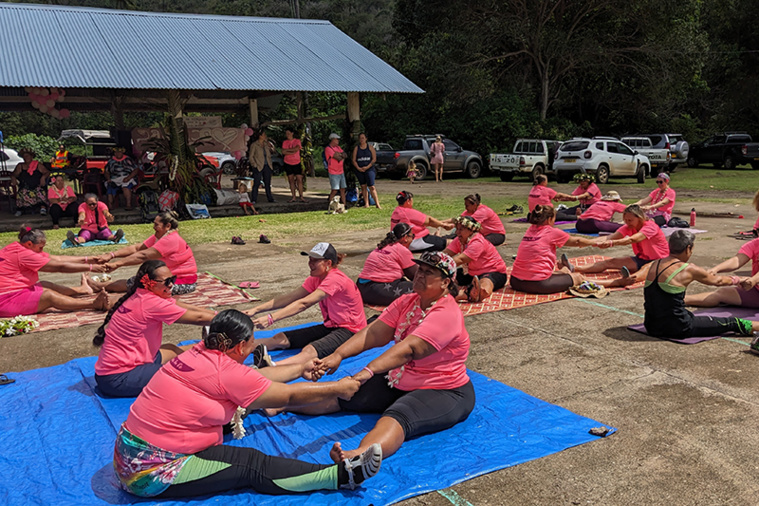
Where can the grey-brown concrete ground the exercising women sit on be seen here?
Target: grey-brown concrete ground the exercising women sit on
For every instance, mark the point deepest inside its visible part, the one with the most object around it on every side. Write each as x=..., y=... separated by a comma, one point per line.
x=685, y=414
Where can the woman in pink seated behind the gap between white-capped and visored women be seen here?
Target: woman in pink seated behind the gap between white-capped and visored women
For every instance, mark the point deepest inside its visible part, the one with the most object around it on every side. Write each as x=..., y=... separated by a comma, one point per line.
x=388, y=269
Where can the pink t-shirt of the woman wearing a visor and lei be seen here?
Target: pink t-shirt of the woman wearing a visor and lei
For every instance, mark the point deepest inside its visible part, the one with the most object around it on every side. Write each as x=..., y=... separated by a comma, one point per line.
x=443, y=328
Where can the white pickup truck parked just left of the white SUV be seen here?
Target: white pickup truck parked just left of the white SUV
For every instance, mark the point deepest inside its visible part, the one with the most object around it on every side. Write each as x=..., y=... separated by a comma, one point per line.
x=530, y=158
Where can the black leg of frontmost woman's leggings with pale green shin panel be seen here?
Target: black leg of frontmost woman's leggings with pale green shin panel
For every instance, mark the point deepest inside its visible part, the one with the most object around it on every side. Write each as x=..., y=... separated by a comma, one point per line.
x=255, y=470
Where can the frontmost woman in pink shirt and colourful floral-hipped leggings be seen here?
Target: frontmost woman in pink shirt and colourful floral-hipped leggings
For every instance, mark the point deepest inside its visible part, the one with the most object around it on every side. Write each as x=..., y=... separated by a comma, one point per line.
x=171, y=444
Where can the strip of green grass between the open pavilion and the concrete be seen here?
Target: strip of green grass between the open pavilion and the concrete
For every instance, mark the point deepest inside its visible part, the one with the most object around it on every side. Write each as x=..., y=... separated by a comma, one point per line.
x=278, y=226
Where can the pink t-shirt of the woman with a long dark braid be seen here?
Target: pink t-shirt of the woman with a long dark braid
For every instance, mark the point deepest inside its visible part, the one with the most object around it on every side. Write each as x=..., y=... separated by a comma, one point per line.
x=134, y=334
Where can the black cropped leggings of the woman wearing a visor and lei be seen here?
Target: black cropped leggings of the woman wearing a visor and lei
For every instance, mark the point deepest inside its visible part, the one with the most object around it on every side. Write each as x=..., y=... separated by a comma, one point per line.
x=422, y=411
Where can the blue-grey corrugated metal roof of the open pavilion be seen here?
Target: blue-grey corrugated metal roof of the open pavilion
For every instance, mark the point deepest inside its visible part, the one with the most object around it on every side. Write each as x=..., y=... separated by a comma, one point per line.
x=71, y=47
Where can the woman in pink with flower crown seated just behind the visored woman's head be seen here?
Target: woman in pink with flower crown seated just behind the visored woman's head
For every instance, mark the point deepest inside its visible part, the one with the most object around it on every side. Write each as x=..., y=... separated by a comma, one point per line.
x=486, y=270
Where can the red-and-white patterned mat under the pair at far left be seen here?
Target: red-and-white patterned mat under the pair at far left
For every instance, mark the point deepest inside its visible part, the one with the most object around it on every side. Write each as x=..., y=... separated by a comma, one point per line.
x=211, y=292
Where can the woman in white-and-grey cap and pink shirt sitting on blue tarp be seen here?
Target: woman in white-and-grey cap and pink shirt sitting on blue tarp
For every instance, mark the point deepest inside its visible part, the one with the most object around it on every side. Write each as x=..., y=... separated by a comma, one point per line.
x=339, y=301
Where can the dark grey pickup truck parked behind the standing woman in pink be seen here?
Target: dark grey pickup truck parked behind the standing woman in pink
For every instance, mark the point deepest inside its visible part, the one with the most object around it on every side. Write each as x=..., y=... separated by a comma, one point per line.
x=417, y=148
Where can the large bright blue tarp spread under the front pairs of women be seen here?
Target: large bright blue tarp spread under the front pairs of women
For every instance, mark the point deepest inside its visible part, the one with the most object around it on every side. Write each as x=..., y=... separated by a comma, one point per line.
x=57, y=438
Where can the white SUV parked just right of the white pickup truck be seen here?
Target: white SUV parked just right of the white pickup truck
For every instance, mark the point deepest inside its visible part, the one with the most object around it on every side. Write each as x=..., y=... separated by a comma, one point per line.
x=605, y=157
